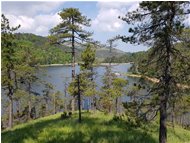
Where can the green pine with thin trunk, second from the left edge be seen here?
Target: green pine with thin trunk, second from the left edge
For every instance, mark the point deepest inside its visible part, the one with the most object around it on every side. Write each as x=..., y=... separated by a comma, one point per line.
x=26, y=70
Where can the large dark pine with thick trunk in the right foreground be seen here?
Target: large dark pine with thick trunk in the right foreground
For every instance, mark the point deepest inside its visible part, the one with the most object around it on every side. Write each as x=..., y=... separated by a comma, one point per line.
x=159, y=24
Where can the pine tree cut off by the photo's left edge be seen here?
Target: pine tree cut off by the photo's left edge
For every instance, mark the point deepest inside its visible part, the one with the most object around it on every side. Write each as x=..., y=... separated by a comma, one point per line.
x=8, y=46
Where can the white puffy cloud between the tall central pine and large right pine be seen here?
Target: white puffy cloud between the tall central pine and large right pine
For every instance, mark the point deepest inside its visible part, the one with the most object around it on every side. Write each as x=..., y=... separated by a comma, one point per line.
x=107, y=19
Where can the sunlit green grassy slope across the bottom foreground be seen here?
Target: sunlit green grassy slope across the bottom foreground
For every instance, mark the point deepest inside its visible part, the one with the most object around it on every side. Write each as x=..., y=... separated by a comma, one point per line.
x=95, y=128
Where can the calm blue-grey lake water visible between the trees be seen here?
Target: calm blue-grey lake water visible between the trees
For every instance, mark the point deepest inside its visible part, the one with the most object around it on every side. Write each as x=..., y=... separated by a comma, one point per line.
x=59, y=75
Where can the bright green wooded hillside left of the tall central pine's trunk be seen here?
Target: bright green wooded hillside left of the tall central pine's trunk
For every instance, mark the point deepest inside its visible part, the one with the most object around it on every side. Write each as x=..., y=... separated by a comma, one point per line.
x=43, y=51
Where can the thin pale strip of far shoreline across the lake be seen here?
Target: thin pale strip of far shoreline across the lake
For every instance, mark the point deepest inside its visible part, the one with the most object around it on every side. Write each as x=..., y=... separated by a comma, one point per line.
x=69, y=64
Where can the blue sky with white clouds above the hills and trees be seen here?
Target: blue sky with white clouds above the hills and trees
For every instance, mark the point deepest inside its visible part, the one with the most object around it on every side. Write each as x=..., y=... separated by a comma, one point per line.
x=39, y=17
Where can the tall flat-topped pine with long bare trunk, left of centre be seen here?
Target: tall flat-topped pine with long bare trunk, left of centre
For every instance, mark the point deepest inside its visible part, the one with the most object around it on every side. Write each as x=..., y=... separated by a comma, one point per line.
x=70, y=31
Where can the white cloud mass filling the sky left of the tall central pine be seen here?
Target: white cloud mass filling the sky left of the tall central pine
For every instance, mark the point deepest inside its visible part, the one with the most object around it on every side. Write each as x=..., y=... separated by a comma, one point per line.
x=34, y=17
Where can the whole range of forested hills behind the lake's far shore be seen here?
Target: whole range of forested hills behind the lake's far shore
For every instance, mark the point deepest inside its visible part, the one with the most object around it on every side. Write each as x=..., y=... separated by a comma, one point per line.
x=51, y=54
